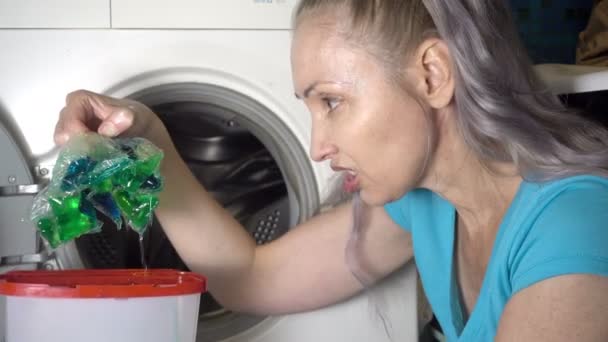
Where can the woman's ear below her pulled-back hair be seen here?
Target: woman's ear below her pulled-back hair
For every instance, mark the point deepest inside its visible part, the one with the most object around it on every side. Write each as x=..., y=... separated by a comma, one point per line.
x=433, y=71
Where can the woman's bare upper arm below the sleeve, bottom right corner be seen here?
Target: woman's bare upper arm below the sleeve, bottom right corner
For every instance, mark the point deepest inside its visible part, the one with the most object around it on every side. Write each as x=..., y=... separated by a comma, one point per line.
x=565, y=308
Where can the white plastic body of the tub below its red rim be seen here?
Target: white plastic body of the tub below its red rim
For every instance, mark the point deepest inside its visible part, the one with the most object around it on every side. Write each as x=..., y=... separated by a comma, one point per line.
x=34, y=316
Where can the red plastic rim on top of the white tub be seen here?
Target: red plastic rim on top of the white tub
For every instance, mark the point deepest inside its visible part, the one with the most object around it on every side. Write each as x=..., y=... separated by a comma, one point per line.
x=101, y=283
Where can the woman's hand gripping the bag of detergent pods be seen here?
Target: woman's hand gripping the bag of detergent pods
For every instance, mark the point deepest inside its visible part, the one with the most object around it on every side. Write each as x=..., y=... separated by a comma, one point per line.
x=86, y=111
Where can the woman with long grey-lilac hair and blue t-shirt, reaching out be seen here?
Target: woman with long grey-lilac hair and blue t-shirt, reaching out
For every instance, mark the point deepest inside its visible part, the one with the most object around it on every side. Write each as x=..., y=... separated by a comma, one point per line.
x=431, y=109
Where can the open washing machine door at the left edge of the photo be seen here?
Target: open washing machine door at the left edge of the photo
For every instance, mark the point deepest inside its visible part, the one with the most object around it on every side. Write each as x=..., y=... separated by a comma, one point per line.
x=18, y=238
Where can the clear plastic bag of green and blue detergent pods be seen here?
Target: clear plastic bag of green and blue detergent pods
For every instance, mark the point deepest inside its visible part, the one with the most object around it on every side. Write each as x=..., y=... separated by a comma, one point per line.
x=95, y=175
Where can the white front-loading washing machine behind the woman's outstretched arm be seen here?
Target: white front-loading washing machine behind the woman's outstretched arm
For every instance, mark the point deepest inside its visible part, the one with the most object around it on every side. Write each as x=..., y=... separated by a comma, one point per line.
x=218, y=74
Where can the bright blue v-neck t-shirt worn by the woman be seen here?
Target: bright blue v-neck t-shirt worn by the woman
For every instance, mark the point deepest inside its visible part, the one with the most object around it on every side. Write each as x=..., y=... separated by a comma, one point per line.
x=550, y=229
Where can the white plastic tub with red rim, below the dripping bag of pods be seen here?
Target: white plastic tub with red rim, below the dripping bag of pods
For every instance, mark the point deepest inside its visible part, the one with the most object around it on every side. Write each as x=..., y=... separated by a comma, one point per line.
x=101, y=305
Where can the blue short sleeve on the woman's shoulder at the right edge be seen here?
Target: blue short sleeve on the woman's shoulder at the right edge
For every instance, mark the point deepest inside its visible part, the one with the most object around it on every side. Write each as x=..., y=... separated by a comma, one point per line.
x=569, y=236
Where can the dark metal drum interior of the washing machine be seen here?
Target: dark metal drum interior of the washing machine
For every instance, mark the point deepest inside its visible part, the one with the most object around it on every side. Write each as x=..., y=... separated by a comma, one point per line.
x=232, y=164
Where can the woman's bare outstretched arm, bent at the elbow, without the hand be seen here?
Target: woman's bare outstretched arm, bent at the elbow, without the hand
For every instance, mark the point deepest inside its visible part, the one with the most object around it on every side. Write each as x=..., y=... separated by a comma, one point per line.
x=304, y=269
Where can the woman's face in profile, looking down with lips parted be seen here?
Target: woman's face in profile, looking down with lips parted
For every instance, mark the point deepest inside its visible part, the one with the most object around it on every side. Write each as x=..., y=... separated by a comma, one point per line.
x=364, y=123
